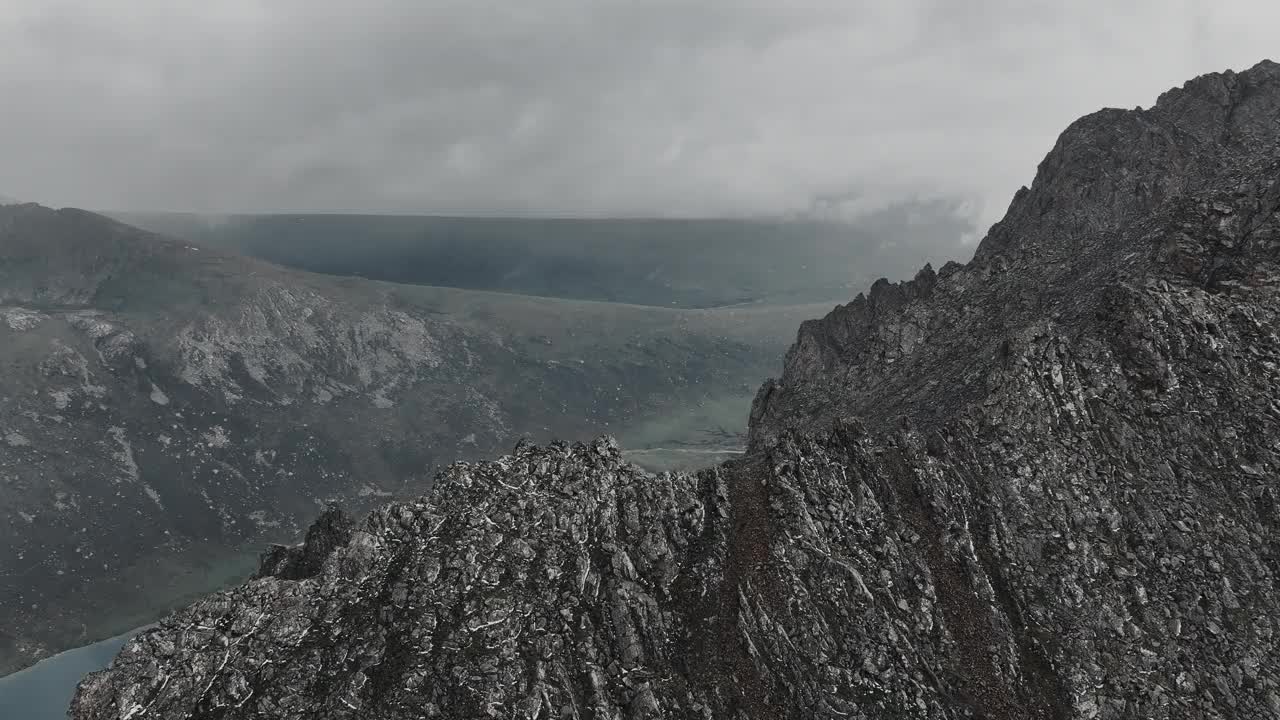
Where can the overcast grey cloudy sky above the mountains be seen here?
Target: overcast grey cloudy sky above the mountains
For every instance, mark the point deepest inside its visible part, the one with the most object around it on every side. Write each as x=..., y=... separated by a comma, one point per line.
x=575, y=107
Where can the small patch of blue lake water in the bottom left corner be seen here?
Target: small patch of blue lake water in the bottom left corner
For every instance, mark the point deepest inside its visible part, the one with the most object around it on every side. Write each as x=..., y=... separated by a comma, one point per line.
x=44, y=691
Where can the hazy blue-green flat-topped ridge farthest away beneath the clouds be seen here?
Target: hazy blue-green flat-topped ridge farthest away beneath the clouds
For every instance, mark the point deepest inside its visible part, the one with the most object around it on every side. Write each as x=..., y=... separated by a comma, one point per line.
x=662, y=263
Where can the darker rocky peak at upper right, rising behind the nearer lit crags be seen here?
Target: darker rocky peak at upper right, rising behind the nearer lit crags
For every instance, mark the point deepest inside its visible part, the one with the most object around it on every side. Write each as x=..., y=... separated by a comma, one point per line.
x=1183, y=193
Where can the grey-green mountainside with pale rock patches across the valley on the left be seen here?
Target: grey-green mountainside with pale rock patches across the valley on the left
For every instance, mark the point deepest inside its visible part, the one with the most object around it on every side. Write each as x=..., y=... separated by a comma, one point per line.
x=163, y=407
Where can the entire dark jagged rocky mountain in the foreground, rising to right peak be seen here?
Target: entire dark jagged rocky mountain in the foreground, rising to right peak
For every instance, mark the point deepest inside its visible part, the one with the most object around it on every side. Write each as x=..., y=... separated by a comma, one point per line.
x=1039, y=486
